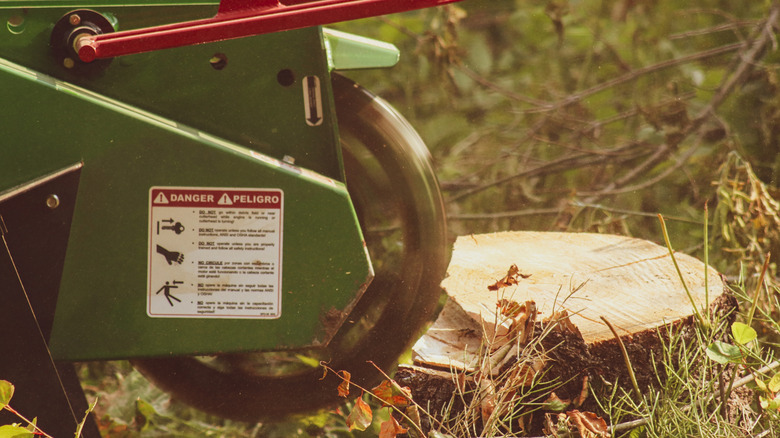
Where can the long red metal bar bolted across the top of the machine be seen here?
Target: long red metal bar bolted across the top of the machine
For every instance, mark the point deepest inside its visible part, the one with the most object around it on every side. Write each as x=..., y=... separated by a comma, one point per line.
x=238, y=21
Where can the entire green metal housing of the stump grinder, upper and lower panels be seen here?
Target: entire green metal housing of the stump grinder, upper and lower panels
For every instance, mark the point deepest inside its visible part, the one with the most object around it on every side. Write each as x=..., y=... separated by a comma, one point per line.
x=222, y=115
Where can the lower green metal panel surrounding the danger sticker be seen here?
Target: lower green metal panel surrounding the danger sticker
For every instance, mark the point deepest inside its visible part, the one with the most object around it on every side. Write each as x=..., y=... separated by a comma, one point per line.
x=101, y=312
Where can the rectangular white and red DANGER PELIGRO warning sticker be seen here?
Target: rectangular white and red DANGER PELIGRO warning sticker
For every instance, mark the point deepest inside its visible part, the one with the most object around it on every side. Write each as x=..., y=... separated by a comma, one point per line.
x=214, y=252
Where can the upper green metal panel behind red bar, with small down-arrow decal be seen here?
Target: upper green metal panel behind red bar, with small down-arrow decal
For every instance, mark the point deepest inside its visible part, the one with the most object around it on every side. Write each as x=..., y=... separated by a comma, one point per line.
x=244, y=102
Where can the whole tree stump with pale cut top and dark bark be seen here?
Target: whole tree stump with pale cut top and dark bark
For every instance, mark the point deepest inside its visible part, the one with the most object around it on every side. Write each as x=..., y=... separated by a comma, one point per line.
x=507, y=289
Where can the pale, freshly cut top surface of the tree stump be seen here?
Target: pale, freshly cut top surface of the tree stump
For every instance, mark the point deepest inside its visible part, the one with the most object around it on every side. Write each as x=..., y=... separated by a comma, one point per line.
x=630, y=282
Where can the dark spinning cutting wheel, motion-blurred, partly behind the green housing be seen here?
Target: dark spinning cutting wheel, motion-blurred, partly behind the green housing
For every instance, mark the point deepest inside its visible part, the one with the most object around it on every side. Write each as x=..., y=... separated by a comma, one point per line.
x=397, y=199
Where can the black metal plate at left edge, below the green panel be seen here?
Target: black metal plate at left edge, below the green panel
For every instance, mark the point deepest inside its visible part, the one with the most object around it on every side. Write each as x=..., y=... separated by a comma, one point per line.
x=34, y=225
